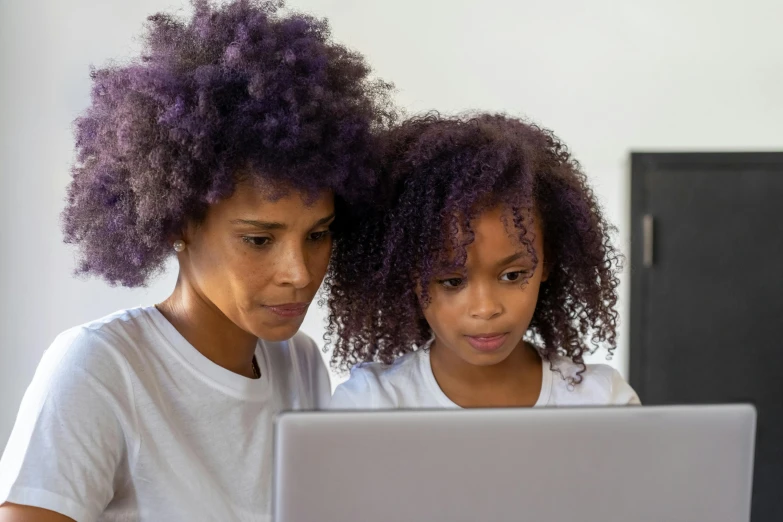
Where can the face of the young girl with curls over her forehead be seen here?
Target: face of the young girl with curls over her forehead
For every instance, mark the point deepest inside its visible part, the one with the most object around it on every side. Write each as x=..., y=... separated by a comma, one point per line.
x=480, y=312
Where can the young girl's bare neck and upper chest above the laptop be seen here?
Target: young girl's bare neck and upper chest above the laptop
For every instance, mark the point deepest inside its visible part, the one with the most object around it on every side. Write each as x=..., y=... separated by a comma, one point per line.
x=516, y=381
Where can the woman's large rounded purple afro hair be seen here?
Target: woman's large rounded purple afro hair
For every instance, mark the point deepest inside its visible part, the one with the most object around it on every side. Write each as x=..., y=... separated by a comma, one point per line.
x=239, y=87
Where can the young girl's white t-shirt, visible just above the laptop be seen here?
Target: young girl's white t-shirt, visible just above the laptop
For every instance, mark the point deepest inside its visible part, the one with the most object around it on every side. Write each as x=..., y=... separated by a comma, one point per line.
x=409, y=383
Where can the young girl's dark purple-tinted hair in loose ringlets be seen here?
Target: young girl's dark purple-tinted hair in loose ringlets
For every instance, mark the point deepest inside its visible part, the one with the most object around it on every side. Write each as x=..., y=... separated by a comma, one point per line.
x=439, y=174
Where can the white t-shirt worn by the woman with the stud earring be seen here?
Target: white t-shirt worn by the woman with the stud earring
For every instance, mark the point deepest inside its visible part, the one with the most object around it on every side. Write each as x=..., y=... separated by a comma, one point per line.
x=126, y=420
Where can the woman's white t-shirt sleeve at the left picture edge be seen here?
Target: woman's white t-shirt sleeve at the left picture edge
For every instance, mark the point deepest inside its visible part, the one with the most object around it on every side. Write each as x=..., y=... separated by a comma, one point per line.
x=68, y=439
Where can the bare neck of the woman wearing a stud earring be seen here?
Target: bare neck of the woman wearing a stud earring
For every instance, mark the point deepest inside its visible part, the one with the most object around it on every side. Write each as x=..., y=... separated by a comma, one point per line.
x=208, y=329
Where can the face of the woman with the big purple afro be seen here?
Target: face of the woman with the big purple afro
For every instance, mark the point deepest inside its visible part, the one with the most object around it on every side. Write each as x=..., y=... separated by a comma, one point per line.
x=260, y=260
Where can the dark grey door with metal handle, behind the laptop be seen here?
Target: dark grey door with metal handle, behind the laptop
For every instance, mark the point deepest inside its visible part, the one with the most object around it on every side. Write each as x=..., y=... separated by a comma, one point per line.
x=707, y=292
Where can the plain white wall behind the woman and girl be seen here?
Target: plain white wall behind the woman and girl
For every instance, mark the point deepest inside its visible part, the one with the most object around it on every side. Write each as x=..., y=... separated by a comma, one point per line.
x=608, y=76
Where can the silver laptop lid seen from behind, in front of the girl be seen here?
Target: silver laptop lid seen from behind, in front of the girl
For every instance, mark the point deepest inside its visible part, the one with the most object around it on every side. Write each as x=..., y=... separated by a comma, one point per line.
x=630, y=464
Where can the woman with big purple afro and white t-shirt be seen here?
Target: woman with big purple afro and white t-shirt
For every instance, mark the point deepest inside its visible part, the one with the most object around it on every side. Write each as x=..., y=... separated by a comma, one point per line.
x=229, y=144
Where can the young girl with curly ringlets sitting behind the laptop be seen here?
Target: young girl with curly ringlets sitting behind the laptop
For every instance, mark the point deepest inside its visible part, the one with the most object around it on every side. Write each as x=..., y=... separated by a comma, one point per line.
x=485, y=280
